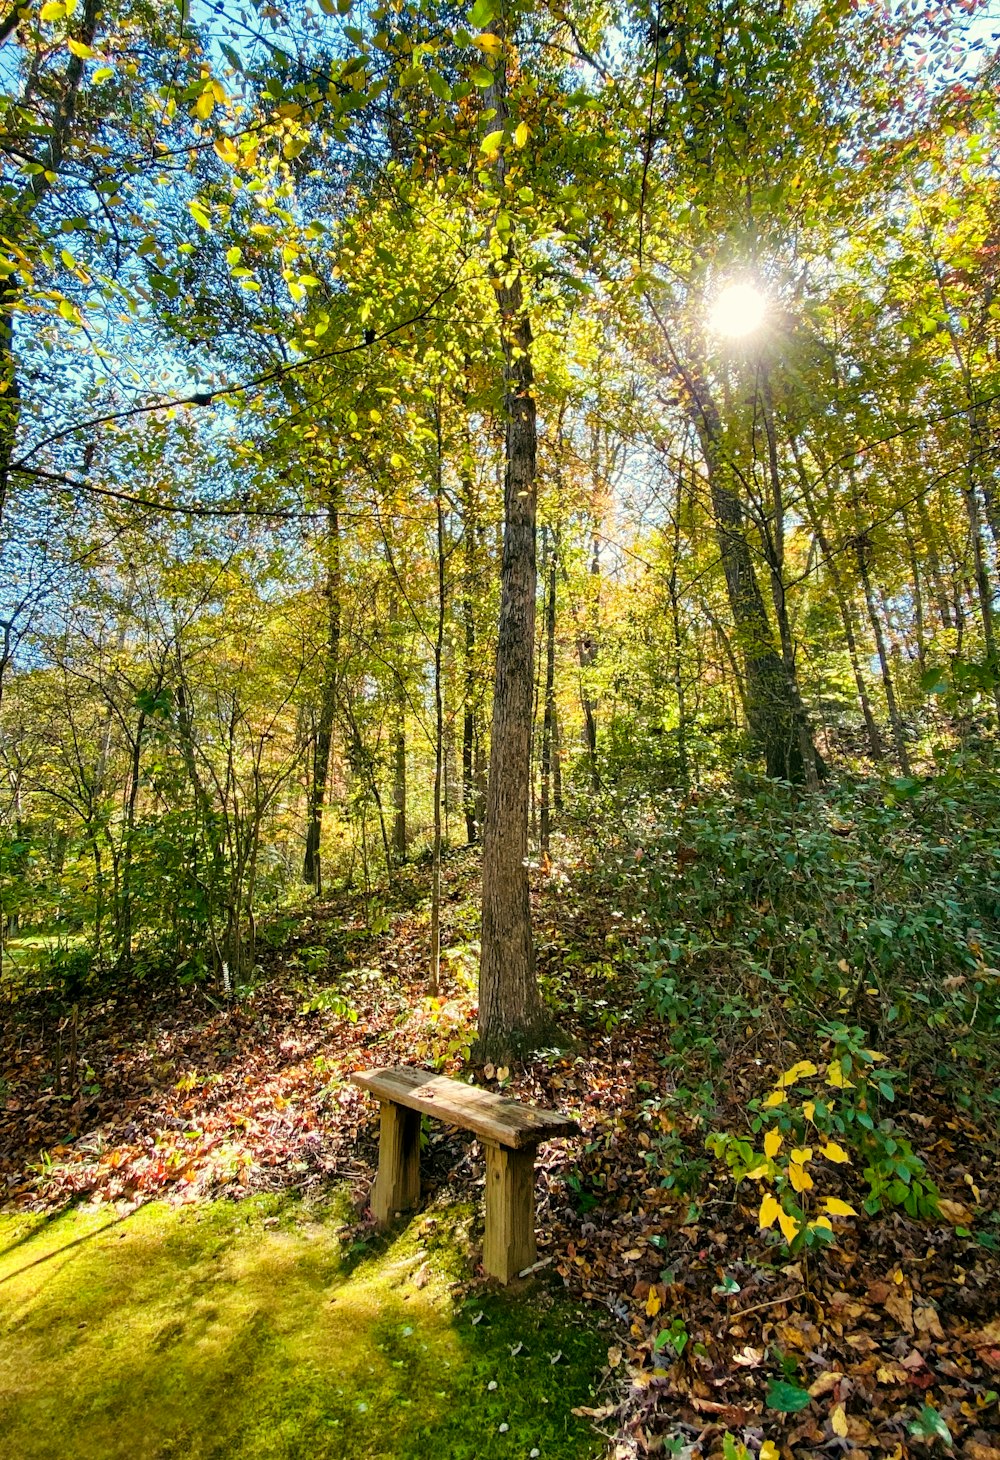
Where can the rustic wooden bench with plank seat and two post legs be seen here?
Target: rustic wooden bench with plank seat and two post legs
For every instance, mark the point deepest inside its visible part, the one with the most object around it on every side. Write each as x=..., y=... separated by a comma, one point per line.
x=509, y=1132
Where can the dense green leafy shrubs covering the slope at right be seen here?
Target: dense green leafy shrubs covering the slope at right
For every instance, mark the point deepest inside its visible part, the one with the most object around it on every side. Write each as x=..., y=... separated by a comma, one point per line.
x=878, y=896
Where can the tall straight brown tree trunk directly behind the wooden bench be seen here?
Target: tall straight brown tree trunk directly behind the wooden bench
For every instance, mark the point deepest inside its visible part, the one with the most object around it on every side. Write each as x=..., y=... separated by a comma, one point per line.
x=512, y=1014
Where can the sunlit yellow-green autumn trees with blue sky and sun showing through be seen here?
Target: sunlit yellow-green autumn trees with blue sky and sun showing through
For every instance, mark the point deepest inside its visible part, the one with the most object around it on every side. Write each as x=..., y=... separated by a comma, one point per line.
x=424, y=427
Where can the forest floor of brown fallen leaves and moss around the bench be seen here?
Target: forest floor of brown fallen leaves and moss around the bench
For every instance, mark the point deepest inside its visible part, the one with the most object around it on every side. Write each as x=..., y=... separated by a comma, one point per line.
x=691, y=1332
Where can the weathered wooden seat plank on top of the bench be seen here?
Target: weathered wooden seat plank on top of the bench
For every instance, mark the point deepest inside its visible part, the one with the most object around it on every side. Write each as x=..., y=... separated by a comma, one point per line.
x=491, y=1118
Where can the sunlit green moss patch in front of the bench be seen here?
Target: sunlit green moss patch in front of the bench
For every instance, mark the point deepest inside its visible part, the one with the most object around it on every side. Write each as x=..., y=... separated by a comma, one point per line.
x=246, y=1332
